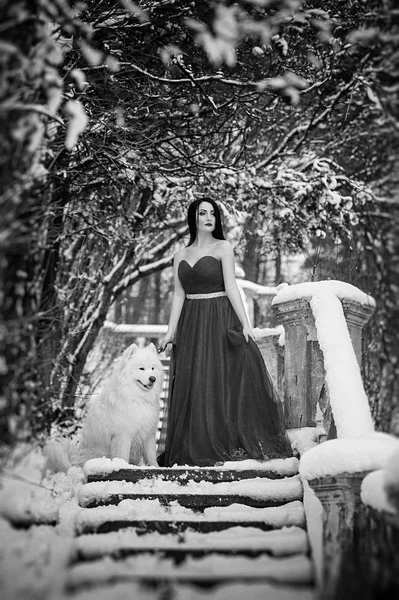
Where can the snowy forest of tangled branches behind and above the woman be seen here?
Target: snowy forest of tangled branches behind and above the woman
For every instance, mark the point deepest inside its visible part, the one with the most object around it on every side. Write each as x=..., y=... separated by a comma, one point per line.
x=114, y=115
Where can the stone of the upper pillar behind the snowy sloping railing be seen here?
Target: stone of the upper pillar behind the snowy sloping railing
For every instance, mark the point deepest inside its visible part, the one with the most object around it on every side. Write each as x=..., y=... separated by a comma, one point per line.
x=304, y=374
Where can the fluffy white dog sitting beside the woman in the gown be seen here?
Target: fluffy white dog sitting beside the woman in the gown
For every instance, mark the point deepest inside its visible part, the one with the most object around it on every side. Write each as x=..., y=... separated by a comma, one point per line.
x=122, y=422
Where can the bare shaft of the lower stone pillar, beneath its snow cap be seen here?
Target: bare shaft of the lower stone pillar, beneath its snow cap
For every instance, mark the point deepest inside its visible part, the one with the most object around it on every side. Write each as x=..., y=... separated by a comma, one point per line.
x=340, y=498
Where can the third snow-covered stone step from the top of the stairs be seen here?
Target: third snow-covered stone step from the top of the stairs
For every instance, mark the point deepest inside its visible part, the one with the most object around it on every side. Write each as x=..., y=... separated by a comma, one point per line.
x=151, y=515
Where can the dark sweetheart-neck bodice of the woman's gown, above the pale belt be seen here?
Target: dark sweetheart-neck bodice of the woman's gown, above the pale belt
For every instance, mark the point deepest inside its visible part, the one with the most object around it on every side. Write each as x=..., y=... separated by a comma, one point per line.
x=204, y=277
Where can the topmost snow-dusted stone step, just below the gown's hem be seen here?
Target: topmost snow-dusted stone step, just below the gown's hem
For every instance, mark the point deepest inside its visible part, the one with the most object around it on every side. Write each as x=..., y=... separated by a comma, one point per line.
x=104, y=469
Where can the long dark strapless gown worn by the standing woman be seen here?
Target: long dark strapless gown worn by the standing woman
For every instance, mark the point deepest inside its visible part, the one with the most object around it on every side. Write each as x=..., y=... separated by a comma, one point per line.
x=222, y=404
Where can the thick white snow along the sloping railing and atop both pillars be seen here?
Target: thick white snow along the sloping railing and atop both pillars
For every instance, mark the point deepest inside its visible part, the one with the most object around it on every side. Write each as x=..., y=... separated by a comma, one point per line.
x=358, y=447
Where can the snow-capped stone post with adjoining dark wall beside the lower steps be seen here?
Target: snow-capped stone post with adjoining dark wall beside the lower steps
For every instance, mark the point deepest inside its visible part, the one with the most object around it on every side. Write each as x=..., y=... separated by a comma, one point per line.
x=354, y=543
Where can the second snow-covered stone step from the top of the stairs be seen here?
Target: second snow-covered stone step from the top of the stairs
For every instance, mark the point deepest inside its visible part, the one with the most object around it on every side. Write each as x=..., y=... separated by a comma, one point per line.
x=259, y=492
